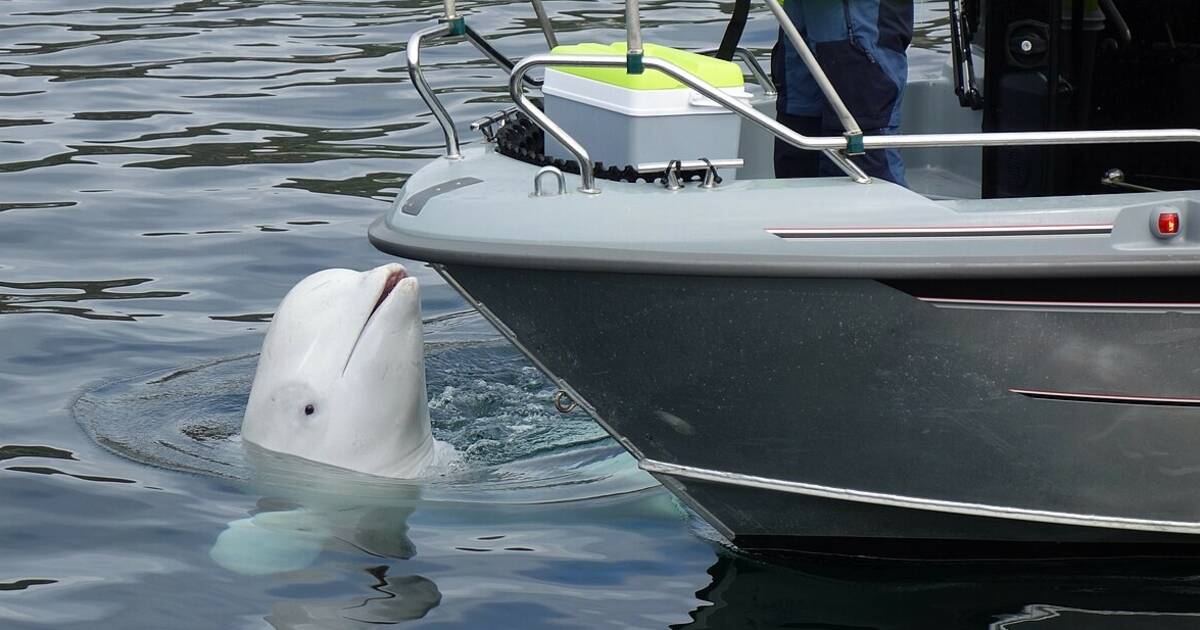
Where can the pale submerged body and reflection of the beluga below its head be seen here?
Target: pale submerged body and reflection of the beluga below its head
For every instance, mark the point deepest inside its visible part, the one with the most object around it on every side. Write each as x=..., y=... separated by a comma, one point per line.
x=308, y=511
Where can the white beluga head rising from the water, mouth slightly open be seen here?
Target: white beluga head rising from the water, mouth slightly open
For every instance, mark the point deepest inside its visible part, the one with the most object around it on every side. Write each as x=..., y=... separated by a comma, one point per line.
x=341, y=377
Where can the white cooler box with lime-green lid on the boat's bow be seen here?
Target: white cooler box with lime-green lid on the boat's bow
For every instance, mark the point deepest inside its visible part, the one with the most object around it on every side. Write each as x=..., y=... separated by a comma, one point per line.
x=625, y=119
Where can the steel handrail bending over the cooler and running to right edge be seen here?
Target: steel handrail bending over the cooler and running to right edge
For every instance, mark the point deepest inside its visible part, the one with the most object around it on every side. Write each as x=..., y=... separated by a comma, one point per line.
x=829, y=145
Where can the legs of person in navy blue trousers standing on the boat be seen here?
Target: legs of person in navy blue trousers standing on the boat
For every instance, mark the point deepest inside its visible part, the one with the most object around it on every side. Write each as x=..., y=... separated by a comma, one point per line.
x=862, y=46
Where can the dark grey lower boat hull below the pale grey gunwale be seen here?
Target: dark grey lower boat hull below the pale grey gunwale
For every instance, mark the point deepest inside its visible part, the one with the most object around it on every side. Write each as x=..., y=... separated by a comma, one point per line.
x=794, y=412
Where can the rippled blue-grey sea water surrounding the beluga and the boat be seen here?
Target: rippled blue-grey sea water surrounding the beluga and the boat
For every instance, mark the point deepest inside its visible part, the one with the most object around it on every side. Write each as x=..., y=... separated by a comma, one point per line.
x=169, y=170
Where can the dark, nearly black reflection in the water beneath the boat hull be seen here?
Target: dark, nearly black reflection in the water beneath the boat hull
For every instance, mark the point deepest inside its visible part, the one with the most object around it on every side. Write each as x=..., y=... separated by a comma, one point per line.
x=1132, y=593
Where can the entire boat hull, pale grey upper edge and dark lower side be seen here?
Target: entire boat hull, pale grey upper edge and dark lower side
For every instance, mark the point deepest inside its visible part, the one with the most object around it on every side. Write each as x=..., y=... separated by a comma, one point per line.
x=813, y=361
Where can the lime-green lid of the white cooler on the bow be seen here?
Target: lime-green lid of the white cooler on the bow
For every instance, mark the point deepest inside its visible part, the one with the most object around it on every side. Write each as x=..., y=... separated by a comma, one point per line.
x=716, y=73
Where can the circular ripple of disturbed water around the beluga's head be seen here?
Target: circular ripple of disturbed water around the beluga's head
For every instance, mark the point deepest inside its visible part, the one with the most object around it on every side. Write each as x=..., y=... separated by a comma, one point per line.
x=485, y=399
